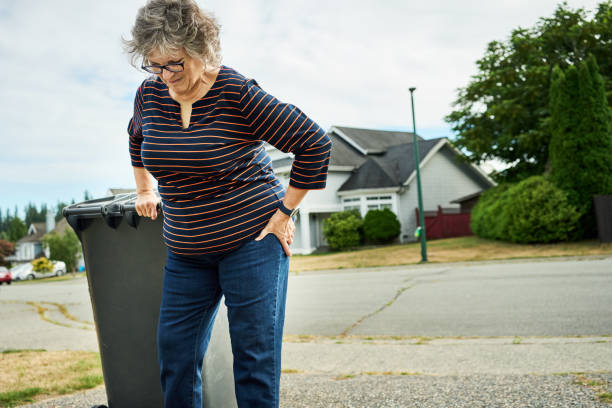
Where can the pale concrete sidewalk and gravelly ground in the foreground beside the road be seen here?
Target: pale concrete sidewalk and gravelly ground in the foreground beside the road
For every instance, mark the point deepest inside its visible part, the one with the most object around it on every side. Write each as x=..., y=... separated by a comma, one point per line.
x=482, y=372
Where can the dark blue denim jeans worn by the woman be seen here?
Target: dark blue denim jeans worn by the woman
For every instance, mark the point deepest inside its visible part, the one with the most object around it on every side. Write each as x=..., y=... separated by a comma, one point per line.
x=253, y=279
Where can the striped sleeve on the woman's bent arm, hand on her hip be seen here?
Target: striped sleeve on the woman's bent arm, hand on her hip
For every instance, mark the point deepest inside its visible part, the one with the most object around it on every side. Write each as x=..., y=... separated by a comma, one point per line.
x=288, y=129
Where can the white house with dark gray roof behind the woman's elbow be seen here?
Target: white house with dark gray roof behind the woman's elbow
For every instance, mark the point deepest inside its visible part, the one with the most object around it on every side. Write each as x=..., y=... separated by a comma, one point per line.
x=375, y=169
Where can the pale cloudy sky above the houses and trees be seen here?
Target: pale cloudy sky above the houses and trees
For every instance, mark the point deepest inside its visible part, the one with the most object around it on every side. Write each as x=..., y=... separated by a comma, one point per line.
x=68, y=88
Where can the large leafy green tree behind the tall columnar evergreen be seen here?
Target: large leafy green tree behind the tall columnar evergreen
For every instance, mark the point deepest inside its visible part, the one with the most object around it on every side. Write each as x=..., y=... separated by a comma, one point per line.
x=503, y=112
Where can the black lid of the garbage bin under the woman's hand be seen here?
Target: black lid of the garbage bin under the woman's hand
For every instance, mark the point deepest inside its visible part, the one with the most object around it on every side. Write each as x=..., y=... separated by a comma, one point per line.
x=112, y=208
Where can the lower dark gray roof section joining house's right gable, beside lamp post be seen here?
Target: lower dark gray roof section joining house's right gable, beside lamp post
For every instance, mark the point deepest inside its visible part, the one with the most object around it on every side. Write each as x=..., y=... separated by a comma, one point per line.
x=390, y=169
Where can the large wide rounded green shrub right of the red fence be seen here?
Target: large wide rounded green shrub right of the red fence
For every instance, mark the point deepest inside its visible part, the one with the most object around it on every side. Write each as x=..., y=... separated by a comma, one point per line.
x=532, y=211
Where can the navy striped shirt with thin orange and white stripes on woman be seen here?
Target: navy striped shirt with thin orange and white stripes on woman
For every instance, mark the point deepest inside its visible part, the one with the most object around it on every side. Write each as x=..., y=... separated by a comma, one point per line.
x=215, y=178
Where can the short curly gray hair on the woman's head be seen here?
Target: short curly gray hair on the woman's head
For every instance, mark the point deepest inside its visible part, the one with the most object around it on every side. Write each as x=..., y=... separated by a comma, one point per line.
x=169, y=25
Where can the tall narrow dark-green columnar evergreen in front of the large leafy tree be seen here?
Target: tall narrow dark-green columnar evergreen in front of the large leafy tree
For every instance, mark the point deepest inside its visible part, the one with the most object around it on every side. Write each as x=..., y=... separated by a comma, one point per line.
x=581, y=142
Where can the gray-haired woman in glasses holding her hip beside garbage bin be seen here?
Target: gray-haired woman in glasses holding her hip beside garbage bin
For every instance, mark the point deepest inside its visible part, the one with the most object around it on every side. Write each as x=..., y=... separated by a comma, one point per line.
x=199, y=128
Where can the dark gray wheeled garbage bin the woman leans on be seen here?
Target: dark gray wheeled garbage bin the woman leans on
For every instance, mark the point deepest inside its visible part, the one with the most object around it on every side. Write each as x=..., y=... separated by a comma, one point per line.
x=124, y=258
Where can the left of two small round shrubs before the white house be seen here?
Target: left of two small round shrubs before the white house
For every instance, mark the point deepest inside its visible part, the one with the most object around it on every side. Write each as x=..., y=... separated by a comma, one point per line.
x=343, y=230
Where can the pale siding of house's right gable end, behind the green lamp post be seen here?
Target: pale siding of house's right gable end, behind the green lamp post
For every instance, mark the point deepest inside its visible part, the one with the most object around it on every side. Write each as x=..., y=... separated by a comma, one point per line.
x=442, y=180
